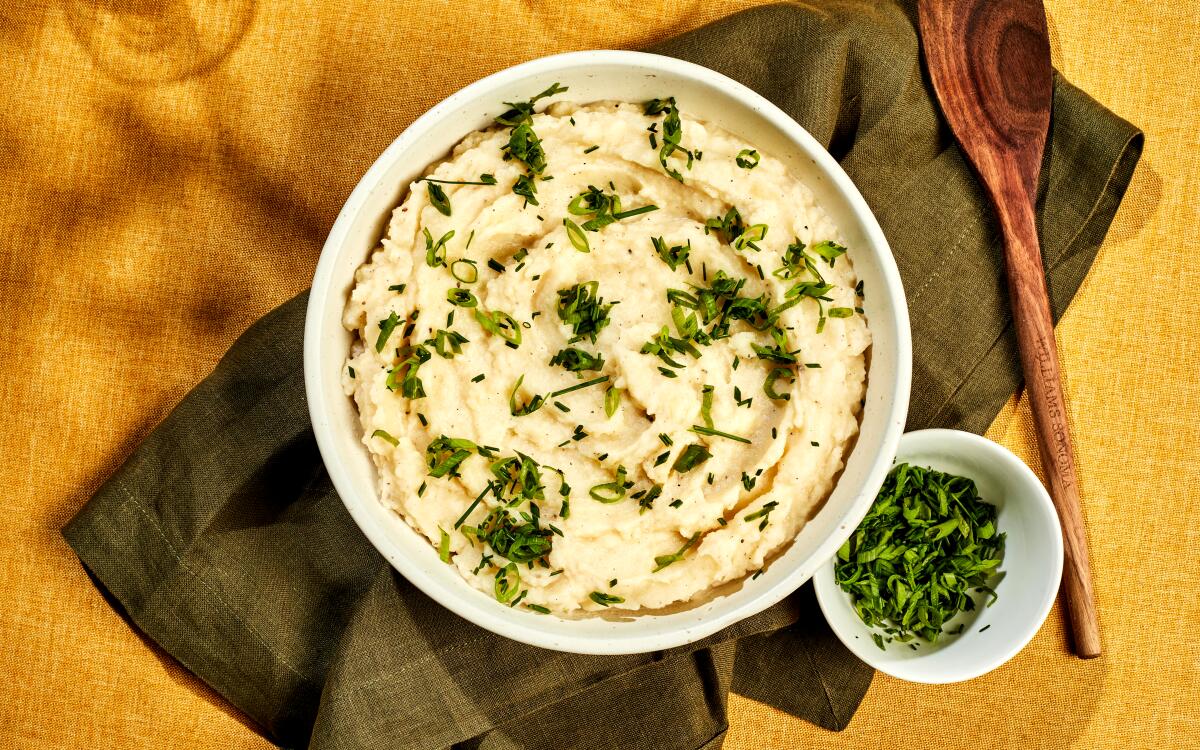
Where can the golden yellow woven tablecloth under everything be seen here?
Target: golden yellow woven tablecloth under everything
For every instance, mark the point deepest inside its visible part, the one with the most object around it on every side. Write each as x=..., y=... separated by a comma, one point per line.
x=139, y=143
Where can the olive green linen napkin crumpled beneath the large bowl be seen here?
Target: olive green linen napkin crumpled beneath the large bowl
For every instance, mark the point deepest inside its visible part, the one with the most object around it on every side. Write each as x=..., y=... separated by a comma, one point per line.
x=224, y=542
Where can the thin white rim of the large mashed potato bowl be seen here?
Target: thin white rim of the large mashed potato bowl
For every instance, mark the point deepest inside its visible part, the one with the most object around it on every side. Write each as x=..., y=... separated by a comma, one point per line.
x=327, y=435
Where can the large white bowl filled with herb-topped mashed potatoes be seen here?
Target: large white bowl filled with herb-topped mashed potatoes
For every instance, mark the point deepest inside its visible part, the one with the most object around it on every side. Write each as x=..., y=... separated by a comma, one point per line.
x=607, y=353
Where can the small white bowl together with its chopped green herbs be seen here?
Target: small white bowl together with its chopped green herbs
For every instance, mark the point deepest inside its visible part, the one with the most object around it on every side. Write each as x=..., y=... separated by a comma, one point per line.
x=956, y=566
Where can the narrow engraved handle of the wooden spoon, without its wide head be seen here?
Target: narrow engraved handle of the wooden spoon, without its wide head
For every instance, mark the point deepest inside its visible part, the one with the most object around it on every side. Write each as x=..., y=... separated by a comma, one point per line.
x=1043, y=385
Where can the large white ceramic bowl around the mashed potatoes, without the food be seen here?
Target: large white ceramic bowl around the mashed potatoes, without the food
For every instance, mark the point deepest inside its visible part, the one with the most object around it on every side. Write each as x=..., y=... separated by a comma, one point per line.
x=595, y=76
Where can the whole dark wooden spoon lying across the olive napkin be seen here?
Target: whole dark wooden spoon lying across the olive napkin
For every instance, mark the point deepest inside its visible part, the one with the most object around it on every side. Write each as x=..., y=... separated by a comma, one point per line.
x=991, y=65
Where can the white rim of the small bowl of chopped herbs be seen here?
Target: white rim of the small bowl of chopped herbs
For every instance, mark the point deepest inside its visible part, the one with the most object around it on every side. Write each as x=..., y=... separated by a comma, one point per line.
x=962, y=442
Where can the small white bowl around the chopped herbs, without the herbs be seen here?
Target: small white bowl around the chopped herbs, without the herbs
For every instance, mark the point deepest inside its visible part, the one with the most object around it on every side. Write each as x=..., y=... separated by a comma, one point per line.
x=1033, y=568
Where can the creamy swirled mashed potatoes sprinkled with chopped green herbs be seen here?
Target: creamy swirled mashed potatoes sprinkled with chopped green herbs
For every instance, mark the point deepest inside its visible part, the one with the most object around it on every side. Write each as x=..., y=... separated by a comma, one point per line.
x=609, y=359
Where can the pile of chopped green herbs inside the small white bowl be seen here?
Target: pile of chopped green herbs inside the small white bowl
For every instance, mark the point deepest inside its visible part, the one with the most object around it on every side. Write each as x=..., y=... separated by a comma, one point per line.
x=928, y=542
